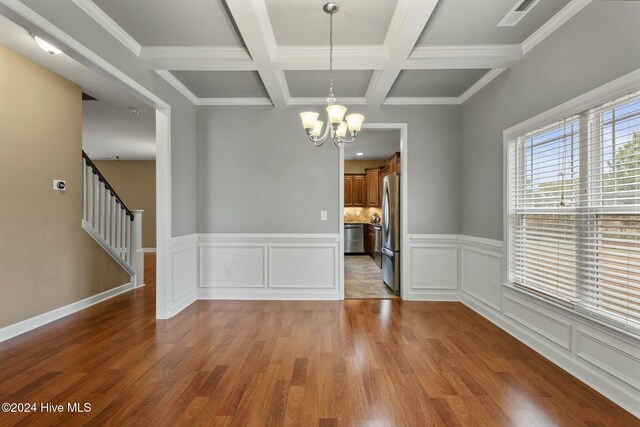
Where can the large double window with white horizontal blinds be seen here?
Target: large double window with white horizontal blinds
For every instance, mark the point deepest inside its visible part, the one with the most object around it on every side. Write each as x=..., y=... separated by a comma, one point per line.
x=574, y=212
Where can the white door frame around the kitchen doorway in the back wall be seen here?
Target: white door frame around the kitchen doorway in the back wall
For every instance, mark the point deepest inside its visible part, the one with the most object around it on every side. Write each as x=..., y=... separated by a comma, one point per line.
x=404, y=192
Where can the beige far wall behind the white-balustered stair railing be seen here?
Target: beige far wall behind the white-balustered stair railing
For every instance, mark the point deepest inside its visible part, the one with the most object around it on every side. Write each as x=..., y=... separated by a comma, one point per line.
x=135, y=183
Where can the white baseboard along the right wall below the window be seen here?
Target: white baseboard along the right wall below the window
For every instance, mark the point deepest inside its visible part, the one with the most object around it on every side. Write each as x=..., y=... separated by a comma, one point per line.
x=564, y=360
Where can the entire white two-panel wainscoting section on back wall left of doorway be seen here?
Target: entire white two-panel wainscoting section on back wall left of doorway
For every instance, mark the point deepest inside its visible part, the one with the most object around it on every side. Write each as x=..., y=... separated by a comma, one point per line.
x=269, y=266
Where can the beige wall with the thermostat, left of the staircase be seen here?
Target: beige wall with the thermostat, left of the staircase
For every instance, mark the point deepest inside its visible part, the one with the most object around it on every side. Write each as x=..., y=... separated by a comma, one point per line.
x=46, y=259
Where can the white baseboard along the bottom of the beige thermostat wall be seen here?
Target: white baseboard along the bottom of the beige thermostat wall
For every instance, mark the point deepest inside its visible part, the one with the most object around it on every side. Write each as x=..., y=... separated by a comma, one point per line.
x=42, y=319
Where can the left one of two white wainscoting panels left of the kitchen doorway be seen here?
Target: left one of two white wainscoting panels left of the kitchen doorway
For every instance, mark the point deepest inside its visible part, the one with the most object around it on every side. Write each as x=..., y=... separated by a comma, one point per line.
x=232, y=266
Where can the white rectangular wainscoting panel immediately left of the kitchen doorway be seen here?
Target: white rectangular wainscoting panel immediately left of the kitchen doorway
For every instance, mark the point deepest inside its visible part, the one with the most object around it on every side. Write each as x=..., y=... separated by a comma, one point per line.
x=303, y=266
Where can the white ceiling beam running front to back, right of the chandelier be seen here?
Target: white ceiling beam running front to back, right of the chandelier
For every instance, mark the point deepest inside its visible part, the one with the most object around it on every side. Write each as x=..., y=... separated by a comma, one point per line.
x=409, y=19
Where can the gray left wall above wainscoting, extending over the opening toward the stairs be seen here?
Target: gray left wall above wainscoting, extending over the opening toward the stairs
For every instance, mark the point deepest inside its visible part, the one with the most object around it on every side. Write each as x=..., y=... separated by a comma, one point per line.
x=72, y=20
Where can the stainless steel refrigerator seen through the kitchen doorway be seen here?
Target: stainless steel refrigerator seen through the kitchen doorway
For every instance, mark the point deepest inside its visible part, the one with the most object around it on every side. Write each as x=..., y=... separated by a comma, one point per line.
x=391, y=241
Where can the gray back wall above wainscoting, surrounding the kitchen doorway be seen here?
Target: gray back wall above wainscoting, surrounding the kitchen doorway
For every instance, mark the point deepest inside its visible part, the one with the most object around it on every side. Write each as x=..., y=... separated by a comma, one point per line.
x=258, y=172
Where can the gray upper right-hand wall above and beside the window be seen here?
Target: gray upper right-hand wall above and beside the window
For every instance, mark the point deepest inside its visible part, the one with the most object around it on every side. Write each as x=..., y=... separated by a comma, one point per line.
x=599, y=44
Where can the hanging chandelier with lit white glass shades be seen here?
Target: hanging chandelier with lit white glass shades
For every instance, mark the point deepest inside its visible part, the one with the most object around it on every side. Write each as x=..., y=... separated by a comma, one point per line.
x=337, y=124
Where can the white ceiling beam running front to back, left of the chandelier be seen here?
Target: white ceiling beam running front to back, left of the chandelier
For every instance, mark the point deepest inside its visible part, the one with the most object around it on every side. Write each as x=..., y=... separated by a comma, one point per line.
x=253, y=23
